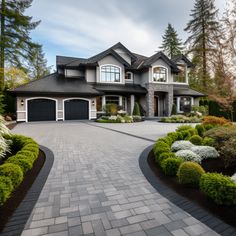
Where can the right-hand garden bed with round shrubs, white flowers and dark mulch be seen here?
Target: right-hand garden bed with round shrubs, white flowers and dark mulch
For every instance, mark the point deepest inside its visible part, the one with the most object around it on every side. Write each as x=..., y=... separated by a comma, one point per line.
x=198, y=163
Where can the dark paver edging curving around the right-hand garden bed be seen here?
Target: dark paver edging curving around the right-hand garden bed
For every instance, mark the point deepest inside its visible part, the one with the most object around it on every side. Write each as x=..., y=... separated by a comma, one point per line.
x=193, y=209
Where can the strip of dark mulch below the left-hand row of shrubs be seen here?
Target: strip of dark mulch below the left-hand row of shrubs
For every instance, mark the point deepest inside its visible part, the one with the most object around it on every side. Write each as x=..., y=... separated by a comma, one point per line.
x=18, y=195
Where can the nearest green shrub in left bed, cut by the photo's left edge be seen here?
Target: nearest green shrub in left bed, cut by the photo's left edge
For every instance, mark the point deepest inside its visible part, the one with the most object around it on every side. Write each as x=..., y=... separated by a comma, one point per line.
x=6, y=188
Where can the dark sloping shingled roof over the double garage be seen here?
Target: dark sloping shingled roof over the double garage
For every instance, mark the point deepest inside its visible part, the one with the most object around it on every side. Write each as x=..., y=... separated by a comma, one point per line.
x=55, y=84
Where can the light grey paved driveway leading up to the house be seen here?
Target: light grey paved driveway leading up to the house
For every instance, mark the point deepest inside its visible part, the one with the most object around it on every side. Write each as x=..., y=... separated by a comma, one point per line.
x=95, y=186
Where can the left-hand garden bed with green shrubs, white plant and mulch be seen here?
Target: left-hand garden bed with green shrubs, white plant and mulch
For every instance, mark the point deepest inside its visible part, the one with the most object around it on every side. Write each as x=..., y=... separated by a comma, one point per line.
x=20, y=162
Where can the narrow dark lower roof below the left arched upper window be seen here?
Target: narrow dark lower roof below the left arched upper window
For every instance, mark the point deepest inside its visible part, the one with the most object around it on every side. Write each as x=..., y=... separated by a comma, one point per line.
x=124, y=89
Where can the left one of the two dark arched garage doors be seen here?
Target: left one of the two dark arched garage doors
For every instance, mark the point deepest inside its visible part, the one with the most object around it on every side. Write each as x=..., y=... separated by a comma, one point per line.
x=41, y=110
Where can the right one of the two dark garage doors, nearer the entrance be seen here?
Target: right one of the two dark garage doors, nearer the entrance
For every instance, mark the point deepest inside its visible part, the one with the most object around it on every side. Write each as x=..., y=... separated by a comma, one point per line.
x=76, y=109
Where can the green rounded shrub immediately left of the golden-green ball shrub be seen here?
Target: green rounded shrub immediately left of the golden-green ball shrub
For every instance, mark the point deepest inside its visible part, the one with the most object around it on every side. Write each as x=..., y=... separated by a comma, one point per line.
x=171, y=165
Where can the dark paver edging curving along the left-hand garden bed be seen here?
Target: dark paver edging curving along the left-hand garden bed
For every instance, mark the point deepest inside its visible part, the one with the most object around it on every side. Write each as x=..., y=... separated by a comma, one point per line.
x=17, y=222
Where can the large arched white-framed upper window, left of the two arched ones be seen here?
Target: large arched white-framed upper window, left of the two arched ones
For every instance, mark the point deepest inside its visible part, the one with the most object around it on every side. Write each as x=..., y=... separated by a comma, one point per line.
x=110, y=73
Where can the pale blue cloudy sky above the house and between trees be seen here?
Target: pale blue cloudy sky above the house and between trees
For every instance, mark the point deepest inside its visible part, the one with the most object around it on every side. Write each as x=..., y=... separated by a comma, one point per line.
x=82, y=28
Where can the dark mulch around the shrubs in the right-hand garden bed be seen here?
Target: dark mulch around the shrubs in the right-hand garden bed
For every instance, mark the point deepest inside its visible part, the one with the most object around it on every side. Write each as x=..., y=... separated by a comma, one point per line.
x=225, y=213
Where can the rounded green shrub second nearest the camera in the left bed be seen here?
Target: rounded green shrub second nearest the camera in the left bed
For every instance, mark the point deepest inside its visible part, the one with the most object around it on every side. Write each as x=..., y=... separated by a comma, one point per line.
x=12, y=171
